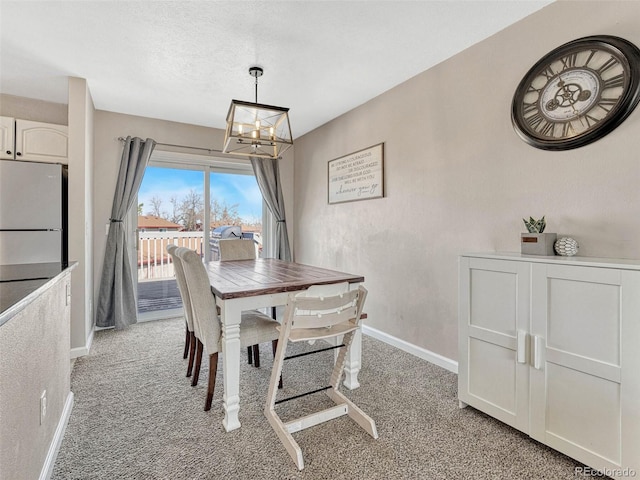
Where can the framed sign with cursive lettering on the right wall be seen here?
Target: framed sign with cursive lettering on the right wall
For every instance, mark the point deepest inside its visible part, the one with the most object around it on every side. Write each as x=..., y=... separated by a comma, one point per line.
x=357, y=176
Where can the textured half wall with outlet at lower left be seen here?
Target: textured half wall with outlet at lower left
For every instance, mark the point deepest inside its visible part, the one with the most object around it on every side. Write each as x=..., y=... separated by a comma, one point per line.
x=35, y=357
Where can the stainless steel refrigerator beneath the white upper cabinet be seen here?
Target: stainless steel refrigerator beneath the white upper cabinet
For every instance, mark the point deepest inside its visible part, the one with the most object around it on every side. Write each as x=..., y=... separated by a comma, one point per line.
x=33, y=213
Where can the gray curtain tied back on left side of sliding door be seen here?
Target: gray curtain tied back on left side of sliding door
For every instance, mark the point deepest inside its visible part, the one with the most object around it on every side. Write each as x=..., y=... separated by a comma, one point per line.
x=116, y=298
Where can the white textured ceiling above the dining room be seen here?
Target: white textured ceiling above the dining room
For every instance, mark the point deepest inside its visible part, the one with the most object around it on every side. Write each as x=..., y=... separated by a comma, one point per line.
x=185, y=60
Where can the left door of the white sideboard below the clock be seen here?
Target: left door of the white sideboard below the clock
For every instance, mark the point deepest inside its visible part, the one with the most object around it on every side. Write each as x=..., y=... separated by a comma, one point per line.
x=493, y=373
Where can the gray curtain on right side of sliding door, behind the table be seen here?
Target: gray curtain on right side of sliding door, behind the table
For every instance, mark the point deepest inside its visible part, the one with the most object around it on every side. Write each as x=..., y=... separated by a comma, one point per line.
x=268, y=177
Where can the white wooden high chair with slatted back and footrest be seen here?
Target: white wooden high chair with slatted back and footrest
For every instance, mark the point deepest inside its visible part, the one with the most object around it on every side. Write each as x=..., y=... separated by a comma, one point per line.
x=335, y=317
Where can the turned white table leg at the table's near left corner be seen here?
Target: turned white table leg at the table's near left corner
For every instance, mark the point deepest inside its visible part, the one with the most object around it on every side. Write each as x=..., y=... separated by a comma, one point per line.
x=230, y=316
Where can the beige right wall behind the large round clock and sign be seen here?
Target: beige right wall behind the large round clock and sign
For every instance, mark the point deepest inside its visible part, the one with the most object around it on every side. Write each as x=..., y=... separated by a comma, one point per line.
x=458, y=178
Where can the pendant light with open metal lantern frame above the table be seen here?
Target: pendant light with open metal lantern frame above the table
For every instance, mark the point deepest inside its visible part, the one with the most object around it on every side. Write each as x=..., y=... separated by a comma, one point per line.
x=254, y=129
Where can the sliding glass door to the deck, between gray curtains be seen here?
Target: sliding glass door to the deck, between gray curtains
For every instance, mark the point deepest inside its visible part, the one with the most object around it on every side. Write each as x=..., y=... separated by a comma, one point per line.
x=188, y=202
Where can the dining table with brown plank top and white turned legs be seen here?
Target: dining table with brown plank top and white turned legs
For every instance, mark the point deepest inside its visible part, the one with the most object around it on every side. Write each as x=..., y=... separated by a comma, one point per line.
x=241, y=285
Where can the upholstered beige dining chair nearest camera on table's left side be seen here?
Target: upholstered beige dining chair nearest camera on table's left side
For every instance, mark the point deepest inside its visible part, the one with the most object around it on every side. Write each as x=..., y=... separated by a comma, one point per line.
x=206, y=322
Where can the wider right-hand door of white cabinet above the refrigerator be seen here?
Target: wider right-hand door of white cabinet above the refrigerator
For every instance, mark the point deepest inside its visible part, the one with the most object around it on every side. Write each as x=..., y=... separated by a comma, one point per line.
x=42, y=142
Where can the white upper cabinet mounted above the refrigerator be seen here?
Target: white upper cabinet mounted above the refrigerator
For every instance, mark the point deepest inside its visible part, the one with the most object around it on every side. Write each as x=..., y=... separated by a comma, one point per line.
x=34, y=141
